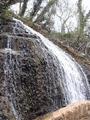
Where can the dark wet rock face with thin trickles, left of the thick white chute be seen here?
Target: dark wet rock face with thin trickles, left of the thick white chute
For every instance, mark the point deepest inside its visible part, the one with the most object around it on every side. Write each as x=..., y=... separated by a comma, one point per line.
x=28, y=75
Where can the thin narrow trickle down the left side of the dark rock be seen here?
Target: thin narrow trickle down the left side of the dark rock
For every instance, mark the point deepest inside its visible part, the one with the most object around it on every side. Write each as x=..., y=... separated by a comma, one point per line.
x=9, y=72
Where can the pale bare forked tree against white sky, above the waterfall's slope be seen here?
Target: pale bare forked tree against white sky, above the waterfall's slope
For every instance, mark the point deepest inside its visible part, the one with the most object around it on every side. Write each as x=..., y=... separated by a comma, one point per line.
x=64, y=14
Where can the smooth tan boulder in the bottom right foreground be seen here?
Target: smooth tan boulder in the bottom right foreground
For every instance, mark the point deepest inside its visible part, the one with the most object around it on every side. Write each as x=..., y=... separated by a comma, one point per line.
x=77, y=111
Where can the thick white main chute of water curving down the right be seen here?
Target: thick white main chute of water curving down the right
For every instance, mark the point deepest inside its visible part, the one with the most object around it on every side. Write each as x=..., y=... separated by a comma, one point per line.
x=74, y=80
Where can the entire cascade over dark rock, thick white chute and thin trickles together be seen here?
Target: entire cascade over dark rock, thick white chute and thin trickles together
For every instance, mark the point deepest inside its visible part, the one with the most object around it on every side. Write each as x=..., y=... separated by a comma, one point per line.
x=39, y=76
